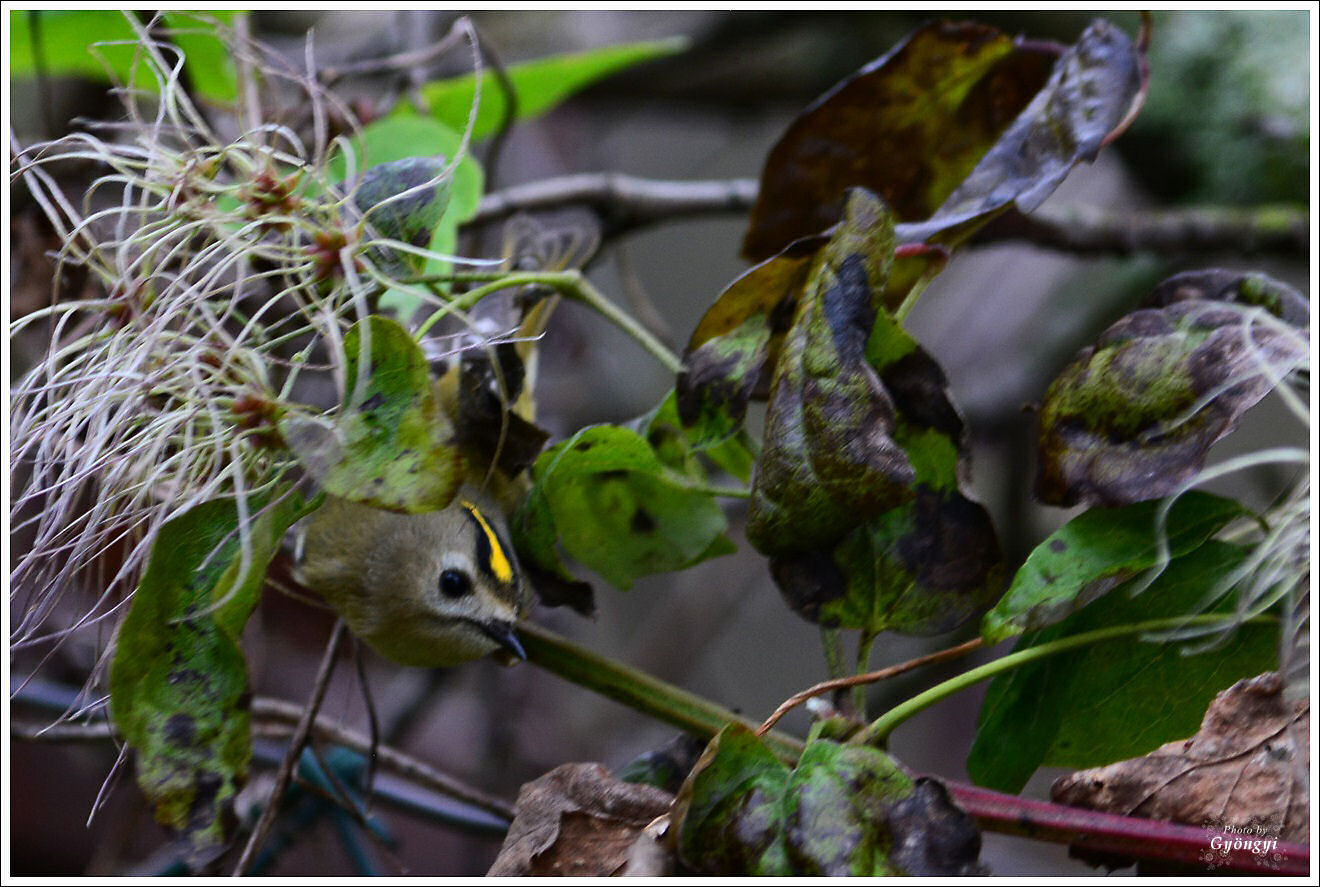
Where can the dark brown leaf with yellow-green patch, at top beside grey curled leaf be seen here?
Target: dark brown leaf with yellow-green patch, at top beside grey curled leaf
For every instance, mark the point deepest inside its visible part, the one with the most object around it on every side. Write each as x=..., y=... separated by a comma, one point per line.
x=907, y=127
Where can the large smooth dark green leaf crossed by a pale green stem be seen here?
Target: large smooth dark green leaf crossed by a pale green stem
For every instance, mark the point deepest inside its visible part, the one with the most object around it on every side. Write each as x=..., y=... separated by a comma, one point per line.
x=1120, y=699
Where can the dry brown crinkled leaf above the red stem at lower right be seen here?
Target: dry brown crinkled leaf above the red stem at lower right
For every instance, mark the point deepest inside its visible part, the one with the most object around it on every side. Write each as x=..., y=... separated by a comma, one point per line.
x=1245, y=770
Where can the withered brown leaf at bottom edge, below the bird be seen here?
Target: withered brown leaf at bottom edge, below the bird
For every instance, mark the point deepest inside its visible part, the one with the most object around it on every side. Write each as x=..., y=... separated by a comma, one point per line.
x=577, y=820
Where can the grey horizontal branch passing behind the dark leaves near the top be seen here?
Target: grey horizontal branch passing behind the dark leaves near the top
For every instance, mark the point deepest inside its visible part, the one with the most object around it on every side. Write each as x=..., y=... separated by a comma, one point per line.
x=626, y=203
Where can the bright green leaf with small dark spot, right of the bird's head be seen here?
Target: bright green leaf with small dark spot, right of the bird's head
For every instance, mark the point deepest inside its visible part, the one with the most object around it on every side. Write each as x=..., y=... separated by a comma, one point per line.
x=617, y=509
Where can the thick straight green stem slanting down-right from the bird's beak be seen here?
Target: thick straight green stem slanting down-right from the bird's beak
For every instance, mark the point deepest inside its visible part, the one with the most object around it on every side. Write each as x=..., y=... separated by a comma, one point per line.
x=638, y=690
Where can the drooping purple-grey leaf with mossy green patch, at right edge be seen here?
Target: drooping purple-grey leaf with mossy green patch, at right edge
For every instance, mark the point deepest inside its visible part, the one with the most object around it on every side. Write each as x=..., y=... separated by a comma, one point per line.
x=1135, y=416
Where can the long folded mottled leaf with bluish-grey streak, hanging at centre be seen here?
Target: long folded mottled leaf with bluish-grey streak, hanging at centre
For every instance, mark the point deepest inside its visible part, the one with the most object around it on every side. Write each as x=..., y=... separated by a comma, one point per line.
x=830, y=461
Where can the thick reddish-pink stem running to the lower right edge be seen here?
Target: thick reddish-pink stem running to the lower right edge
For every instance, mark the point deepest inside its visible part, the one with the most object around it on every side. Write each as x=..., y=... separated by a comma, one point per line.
x=1127, y=836
